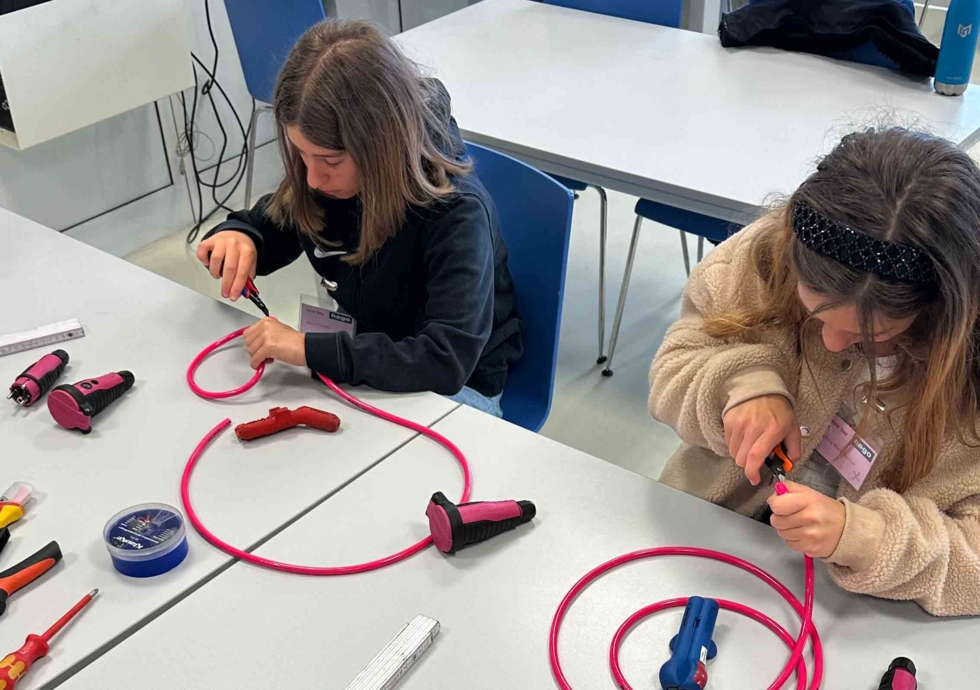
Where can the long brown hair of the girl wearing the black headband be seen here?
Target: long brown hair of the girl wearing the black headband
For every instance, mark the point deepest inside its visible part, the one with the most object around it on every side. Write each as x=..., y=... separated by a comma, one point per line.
x=899, y=186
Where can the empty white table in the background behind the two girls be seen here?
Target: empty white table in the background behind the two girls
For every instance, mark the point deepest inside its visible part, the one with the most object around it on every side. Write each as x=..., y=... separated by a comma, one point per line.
x=657, y=112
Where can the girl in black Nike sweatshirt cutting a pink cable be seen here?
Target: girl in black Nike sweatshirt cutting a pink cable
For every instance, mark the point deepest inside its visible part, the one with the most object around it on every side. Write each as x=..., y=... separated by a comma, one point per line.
x=379, y=196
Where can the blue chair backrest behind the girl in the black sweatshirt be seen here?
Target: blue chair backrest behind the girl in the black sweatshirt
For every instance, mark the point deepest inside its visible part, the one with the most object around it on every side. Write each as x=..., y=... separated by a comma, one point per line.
x=535, y=215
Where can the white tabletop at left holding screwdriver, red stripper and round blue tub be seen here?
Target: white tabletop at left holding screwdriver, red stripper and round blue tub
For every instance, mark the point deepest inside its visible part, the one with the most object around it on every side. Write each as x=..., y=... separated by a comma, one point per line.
x=136, y=320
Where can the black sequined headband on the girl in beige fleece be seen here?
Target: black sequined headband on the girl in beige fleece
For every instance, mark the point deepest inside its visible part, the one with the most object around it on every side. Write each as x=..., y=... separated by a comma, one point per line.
x=855, y=249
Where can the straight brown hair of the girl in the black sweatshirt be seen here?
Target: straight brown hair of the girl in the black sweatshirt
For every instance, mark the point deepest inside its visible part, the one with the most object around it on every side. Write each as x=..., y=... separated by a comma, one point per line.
x=348, y=88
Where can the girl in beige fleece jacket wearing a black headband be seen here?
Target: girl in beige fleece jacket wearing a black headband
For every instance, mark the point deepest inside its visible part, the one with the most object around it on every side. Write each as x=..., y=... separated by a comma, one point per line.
x=845, y=325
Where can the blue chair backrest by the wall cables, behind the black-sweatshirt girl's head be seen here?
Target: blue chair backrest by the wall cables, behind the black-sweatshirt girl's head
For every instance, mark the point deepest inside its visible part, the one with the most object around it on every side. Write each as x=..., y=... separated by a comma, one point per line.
x=265, y=31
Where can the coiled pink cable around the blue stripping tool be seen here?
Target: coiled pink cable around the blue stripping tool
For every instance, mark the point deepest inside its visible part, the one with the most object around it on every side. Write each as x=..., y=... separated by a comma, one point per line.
x=796, y=661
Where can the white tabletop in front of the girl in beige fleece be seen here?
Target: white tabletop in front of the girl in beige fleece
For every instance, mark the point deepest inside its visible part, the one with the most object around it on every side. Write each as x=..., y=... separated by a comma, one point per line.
x=495, y=601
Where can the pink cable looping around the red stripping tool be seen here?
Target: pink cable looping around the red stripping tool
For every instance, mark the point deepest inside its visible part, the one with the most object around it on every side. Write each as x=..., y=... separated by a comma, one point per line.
x=185, y=481
